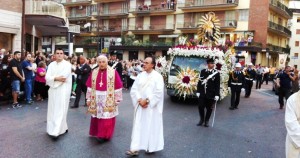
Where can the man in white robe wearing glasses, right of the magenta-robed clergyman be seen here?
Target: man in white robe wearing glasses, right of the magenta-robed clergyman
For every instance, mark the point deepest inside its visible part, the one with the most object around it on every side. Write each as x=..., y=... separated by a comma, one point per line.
x=147, y=94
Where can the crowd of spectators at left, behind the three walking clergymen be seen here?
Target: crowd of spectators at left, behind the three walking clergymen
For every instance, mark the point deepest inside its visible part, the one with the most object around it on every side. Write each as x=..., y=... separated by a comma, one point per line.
x=32, y=68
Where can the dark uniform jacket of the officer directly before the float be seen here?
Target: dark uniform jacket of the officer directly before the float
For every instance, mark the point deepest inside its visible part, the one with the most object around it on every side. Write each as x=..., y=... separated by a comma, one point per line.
x=212, y=88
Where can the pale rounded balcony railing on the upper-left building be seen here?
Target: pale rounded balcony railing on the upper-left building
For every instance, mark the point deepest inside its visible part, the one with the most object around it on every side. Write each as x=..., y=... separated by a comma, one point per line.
x=45, y=8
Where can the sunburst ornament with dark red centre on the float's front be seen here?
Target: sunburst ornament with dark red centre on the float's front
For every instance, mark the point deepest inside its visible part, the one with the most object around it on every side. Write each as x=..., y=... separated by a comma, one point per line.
x=187, y=80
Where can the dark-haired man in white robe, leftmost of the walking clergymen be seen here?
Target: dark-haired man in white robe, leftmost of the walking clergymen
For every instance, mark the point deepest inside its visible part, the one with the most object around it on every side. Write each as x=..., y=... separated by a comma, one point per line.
x=59, y=79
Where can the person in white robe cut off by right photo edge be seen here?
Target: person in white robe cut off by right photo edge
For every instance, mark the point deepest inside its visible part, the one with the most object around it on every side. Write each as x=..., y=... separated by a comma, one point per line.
x=292, y=123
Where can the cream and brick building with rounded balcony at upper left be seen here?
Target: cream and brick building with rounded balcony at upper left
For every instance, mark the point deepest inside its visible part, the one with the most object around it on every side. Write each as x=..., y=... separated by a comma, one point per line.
x=23, y=24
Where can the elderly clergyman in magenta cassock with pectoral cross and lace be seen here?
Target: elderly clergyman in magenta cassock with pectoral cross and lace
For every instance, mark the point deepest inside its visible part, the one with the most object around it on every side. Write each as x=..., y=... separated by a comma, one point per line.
x=103, y=96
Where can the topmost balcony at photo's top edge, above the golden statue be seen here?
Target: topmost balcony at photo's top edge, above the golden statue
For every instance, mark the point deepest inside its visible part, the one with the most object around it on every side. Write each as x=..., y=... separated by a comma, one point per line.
x=207, y=5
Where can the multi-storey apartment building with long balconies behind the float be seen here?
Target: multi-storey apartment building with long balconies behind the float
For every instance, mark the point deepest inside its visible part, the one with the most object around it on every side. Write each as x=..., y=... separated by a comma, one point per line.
x=138, y=28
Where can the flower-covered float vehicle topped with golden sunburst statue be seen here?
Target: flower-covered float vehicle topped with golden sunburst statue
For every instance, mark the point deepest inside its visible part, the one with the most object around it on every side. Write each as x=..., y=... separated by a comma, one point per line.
x=188, y=58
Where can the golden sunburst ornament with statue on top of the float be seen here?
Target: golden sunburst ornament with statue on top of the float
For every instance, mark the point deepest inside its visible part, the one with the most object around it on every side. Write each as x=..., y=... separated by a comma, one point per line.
x=209, y=28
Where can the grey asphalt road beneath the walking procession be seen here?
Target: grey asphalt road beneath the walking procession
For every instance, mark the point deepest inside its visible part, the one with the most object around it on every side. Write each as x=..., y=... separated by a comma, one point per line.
x=255, y=130
